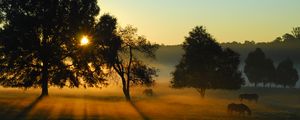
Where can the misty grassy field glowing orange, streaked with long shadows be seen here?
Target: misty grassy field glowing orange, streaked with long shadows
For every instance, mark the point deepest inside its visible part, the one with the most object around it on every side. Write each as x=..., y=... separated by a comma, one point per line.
x=166, y=104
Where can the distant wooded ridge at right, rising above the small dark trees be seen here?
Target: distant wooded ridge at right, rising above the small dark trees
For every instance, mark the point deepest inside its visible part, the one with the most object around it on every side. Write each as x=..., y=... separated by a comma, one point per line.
x=288, y=45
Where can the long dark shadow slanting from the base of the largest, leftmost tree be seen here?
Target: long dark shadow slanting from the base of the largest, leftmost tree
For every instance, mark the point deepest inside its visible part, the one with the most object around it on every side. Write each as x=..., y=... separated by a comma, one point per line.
x=23, y=114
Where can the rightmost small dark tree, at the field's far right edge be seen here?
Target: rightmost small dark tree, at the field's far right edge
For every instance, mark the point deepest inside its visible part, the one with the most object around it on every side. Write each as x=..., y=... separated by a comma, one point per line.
x=286, y=74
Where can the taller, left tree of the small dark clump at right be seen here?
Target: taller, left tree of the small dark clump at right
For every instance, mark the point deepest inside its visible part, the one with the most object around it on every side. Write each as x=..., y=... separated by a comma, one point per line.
x=258, y=68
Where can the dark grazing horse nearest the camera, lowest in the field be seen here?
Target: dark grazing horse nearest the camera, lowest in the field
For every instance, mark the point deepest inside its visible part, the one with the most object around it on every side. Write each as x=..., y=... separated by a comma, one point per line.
x=239, y=108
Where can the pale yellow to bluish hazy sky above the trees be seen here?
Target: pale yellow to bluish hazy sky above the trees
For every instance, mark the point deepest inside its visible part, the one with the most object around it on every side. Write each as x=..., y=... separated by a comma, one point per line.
x=168, y=21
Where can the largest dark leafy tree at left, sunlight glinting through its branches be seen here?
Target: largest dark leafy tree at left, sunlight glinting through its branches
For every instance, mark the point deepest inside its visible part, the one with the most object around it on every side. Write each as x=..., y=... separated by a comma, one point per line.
x=40, y=42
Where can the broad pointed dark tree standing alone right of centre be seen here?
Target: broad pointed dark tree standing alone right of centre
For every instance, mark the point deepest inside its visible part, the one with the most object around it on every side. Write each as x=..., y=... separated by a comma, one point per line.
x=206, y=65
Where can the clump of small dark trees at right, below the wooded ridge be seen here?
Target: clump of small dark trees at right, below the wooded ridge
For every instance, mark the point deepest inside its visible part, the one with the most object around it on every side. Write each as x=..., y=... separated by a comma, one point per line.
x=260, y=69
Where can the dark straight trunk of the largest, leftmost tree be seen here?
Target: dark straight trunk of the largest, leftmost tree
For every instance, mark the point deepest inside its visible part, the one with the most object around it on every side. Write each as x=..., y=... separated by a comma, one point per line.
x=44, y=80
